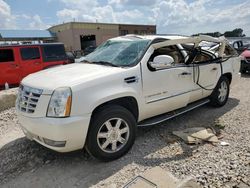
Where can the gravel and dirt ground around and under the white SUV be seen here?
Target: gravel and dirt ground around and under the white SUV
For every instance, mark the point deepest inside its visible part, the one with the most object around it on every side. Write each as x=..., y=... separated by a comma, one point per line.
x=26, y=164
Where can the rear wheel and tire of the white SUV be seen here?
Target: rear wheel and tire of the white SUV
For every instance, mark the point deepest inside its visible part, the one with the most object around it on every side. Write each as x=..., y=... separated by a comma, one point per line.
x=220, y=94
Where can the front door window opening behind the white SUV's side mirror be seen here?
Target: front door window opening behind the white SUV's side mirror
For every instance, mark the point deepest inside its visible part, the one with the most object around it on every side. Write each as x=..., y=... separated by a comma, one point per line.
x=172, y=51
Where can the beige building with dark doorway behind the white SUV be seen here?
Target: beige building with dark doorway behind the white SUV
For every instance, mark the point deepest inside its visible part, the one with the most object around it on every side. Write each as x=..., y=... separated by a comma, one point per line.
x=79, y=35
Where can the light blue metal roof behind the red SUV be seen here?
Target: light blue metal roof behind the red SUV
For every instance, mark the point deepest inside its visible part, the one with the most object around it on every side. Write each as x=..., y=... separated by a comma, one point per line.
x=25, y=34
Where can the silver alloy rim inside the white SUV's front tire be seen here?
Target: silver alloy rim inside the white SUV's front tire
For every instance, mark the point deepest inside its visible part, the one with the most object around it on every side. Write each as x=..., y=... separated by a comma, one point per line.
x=113, y=135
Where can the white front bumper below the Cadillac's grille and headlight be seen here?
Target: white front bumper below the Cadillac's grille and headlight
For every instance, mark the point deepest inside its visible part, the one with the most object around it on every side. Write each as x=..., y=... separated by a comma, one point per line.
x=59, y=134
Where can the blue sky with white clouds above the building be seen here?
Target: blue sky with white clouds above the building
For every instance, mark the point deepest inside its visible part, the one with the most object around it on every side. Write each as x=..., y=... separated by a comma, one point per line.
x=170, y=16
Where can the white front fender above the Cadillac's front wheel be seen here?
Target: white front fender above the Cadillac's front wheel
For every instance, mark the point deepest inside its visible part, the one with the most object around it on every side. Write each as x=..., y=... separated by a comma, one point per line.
x=87, y=99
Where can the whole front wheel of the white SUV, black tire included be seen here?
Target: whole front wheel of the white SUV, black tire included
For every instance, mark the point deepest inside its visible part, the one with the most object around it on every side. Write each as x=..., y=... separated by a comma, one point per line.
x=105, y=140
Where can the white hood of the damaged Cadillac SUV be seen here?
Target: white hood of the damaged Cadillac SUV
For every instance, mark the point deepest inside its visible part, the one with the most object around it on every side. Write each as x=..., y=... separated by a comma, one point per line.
x=68, y=76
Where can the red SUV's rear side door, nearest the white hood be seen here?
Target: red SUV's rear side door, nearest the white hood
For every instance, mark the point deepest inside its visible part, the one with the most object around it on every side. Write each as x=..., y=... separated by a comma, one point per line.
x=30, y=59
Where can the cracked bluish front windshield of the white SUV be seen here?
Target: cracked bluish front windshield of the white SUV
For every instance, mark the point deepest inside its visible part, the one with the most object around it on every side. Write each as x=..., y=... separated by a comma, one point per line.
x=118, y=52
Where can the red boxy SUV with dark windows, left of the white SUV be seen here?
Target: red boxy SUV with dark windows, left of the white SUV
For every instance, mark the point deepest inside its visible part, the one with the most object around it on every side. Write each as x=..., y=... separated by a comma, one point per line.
x=18, y=61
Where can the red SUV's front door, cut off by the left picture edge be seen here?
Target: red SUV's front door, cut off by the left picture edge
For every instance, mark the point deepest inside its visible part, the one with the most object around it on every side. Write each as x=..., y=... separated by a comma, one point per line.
x=9, y=67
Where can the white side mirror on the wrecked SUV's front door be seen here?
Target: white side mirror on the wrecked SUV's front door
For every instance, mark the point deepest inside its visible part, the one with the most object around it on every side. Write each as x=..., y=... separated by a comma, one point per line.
x=162, y=62
